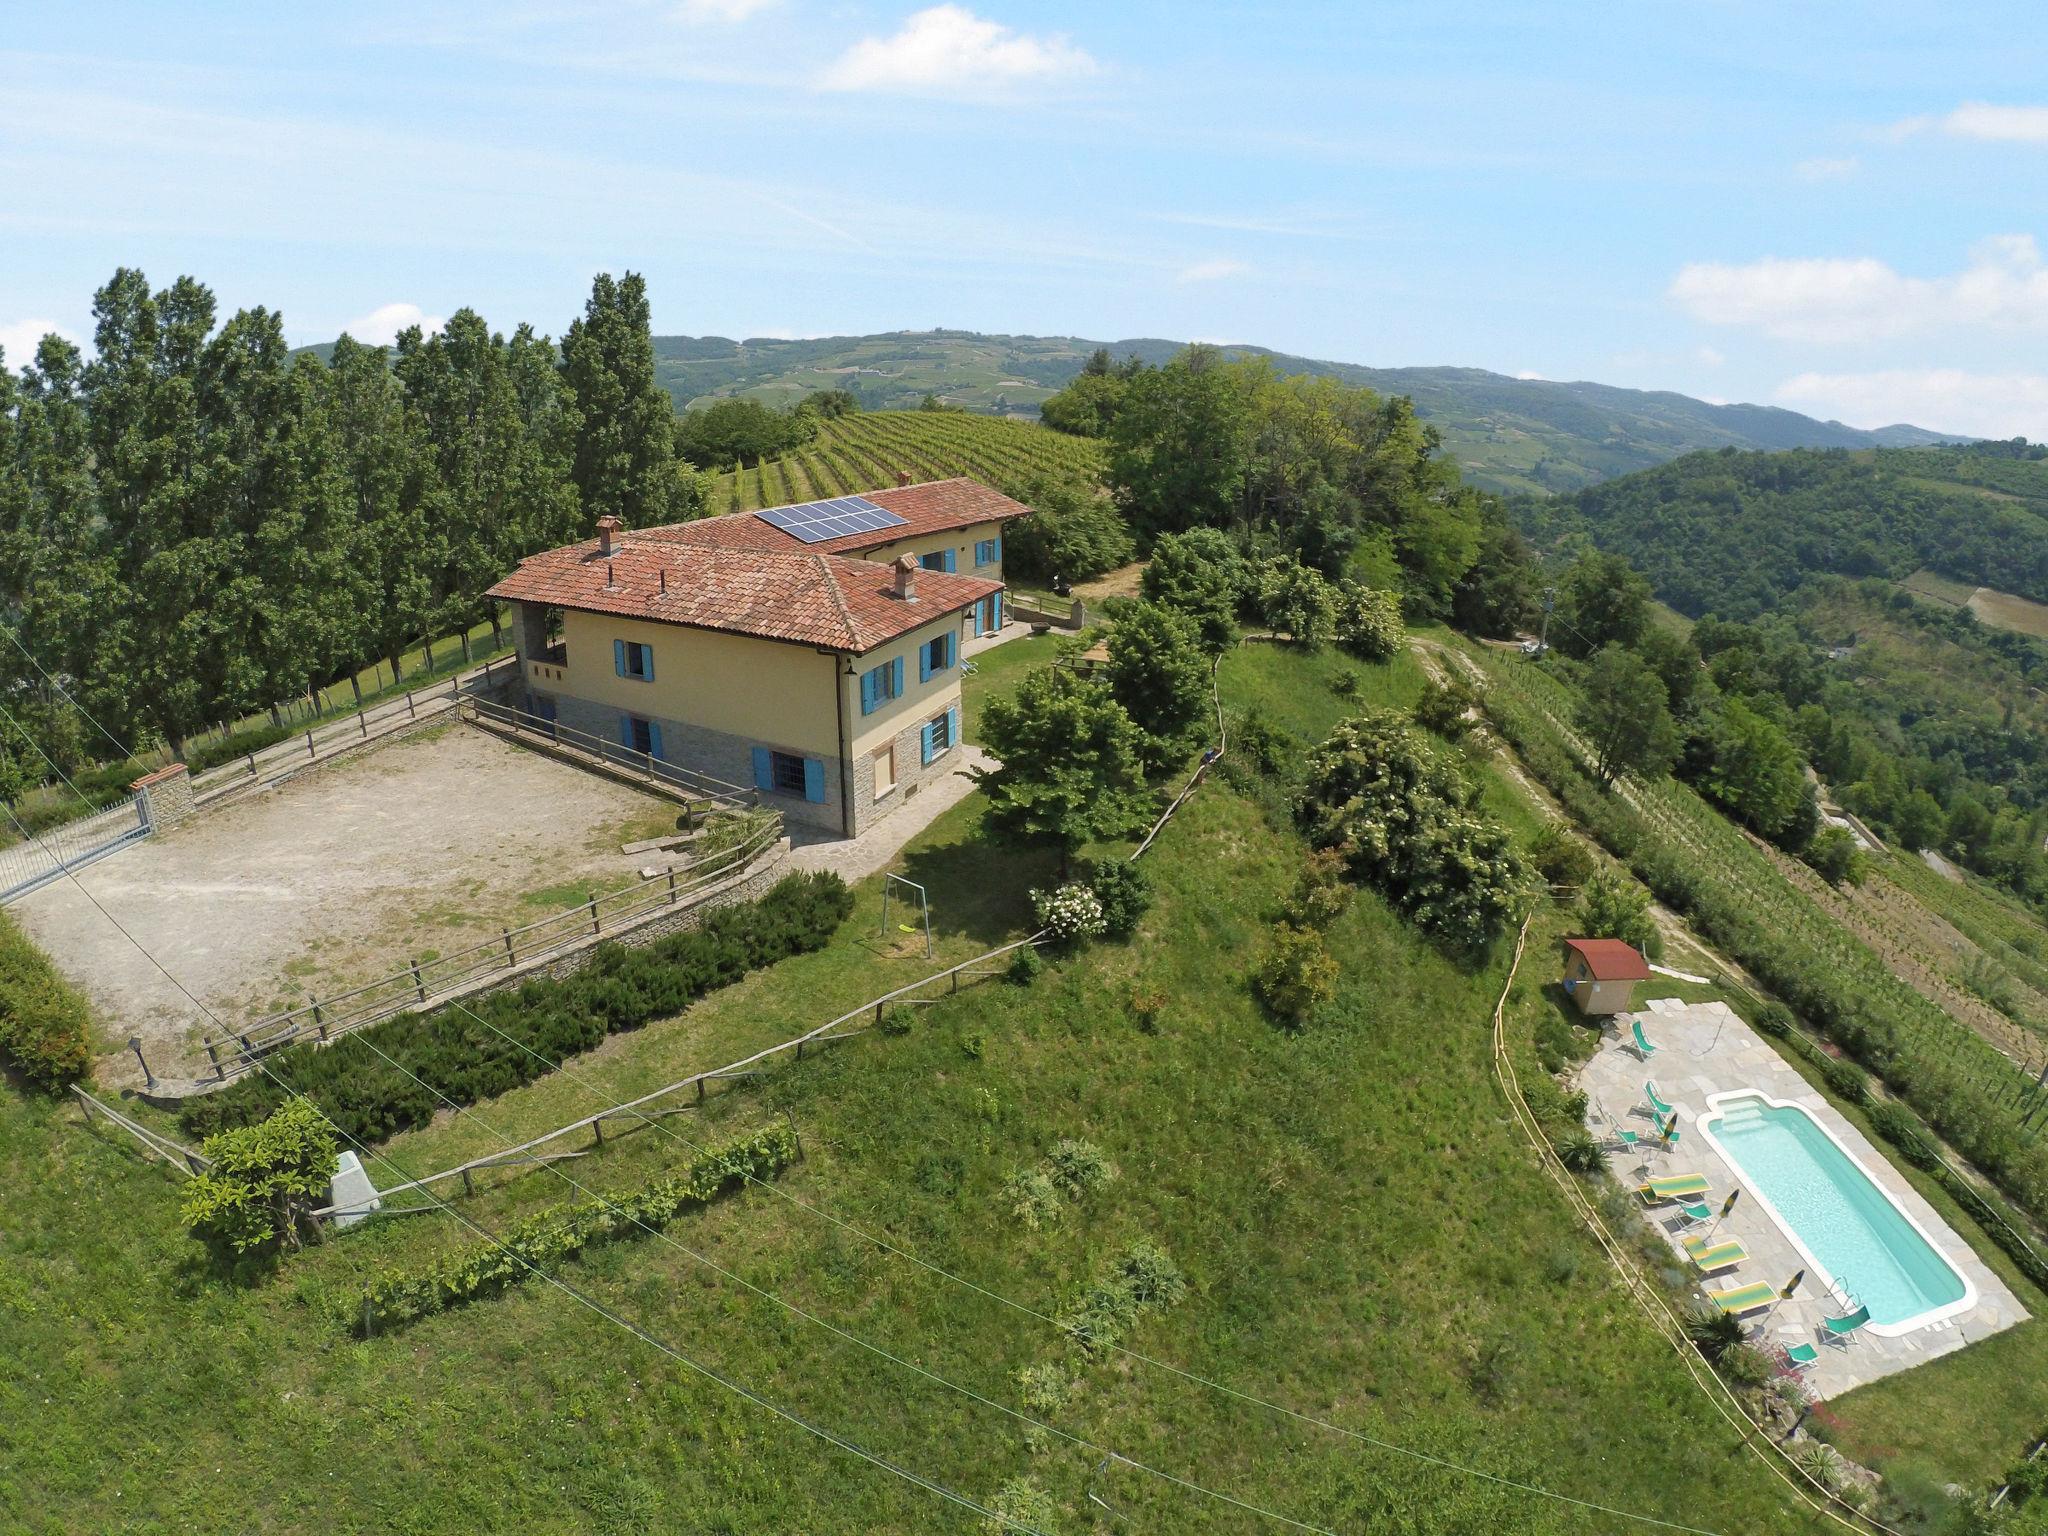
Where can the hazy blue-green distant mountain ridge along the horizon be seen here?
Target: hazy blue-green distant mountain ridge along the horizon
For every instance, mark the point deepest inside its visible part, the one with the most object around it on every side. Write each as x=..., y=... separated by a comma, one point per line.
x=1512, y=435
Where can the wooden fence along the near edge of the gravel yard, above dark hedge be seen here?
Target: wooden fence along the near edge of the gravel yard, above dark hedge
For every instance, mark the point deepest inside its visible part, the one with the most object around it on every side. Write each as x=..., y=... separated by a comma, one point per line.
x=423, y=982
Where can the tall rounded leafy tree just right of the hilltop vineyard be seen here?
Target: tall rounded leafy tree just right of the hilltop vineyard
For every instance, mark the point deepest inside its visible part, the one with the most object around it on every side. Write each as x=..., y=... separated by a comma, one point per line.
x=1179, y=445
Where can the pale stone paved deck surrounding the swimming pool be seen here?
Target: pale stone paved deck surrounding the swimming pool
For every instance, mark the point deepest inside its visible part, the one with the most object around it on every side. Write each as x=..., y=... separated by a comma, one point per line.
x=1705, y=1050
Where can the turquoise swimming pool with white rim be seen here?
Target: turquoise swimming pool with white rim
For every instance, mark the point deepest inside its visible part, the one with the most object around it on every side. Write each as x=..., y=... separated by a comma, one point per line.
x=1848, y=1230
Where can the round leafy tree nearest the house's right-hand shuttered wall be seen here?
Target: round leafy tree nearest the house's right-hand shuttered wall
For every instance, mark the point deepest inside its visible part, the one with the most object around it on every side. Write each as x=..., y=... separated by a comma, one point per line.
x=1072, y=763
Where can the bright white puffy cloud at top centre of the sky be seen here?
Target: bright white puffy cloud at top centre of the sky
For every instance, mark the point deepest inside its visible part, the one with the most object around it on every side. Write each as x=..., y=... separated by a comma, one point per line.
x=953, y=52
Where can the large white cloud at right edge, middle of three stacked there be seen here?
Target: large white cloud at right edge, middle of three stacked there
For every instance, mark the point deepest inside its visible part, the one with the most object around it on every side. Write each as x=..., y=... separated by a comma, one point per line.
x=1852, y=300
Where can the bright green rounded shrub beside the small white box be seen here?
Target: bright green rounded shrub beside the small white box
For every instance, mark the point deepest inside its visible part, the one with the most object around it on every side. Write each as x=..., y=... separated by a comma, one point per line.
x=263, y=1183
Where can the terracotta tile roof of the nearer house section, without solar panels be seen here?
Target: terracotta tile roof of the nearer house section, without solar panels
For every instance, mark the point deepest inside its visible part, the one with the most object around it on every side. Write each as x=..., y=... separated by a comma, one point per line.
x=828, y=601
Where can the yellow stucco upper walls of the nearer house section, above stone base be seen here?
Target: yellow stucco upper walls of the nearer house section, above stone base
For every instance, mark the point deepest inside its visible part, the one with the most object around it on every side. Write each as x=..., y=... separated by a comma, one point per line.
x=755, y=689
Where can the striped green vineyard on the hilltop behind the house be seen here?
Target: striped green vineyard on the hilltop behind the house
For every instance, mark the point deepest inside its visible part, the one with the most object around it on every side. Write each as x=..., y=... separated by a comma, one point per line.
x=867, y=452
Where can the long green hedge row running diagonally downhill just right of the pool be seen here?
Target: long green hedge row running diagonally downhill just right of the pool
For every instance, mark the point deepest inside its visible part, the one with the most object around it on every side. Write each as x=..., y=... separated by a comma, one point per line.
x=1865, y=1027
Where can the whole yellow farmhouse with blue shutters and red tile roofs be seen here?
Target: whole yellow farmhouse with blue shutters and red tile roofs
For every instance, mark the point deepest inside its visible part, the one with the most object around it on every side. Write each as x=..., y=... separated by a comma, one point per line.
x=812, y=652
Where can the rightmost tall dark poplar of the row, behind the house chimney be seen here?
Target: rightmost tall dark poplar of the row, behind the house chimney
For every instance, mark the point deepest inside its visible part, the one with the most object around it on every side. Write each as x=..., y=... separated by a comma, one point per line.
x=624, y=460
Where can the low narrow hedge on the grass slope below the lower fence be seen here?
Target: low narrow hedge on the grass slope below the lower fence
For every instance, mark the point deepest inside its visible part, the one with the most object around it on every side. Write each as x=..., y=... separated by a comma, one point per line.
x=560, y=1234
